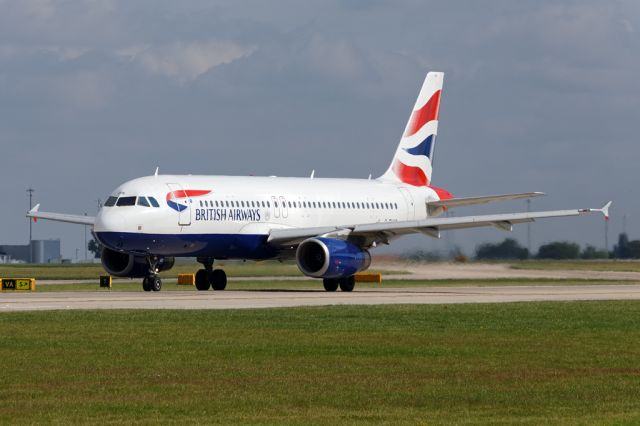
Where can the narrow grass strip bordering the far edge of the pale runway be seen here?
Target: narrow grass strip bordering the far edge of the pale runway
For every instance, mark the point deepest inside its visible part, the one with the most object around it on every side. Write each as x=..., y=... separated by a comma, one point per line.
x=135, y=285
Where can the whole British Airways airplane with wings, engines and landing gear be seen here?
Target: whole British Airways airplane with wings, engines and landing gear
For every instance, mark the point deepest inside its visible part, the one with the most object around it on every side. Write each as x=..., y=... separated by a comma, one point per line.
x=327, y=225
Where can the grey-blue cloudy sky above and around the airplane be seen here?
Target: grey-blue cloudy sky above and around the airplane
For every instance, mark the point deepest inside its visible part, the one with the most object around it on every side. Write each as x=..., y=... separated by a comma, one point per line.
x=538, y=96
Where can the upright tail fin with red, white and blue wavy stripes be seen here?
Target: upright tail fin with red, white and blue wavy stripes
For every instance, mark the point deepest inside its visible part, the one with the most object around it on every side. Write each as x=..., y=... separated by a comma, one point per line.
x=413, y=161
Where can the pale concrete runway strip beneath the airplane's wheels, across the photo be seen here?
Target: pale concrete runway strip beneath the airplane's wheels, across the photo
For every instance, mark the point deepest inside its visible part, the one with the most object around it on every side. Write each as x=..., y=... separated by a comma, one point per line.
x=245, y=299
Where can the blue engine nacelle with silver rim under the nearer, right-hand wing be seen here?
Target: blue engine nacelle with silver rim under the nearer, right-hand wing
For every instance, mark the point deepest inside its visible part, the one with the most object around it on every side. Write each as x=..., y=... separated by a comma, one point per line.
x=331, y=258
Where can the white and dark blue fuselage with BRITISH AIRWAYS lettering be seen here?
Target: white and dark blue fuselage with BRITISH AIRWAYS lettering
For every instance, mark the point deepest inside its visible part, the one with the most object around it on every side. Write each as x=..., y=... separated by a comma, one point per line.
x=210, y=215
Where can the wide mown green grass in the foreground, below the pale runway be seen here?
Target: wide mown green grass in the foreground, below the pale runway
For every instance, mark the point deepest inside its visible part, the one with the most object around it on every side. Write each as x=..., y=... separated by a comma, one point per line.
x=527, y=363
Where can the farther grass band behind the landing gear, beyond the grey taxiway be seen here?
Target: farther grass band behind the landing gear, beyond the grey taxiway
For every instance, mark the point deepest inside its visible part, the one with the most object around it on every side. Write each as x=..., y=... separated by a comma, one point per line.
x=93, y=271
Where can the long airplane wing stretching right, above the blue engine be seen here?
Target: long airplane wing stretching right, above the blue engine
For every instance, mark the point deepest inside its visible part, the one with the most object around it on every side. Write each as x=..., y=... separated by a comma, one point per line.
x=382, y=232
